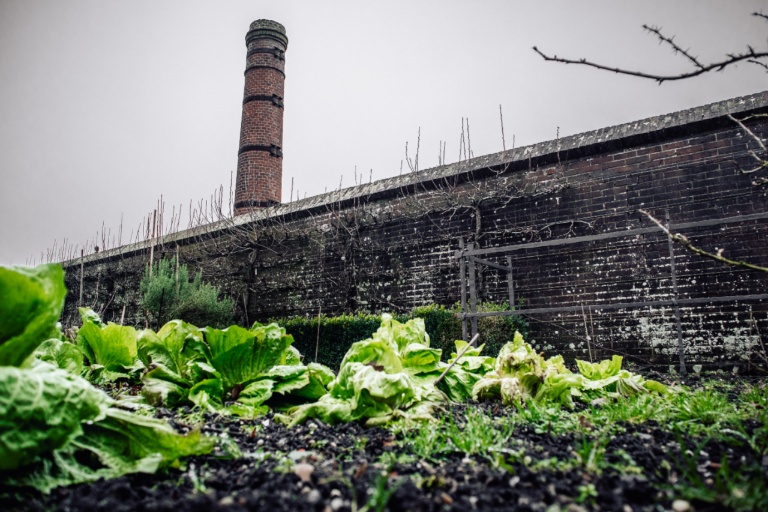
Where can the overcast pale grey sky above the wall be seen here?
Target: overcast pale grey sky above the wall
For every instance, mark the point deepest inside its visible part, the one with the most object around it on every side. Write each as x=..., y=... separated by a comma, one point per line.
x=106, y=105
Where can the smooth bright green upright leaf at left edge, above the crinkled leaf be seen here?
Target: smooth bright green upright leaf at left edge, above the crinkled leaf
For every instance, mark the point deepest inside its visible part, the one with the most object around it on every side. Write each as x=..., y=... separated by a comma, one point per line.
x=31, y=300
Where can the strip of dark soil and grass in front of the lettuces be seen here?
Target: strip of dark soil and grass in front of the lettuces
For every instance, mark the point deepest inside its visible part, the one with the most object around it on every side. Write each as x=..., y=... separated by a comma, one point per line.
x=642, y=454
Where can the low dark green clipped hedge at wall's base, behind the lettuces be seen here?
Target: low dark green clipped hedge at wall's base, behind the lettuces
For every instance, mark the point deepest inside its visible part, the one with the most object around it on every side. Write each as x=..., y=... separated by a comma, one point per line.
x=338, y=333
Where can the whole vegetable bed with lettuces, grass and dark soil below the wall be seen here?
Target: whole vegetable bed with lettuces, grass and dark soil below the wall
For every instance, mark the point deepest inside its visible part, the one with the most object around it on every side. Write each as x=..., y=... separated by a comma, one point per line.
x=190, y=418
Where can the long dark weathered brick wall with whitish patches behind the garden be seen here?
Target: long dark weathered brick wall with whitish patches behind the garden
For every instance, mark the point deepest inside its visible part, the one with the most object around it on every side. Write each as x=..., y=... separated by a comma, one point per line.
x=389, y=246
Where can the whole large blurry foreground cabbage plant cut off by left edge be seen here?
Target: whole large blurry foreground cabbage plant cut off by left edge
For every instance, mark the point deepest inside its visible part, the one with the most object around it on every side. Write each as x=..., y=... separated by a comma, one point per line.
x=55, y=427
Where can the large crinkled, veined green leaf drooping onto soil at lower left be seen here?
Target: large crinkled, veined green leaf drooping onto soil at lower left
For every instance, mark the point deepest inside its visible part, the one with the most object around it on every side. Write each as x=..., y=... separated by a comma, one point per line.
x=56, y=429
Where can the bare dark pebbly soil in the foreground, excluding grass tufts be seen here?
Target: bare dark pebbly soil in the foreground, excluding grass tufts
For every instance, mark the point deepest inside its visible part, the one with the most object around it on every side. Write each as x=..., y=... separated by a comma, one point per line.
x=316, y=467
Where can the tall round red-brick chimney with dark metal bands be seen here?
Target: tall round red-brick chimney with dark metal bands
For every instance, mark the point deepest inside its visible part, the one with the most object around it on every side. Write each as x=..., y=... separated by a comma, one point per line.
x=260, y=157
